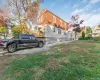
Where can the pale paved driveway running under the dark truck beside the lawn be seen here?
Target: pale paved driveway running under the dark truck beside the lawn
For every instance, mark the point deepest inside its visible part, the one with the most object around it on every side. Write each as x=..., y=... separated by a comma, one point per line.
x=31, y=50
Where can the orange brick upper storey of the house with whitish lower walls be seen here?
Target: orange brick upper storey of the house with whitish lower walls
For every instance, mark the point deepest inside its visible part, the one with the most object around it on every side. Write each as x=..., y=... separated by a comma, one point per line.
x=47, y=17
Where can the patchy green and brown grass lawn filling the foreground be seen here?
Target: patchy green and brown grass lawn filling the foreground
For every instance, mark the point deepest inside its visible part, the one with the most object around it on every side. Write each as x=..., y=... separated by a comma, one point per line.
x=79, y=60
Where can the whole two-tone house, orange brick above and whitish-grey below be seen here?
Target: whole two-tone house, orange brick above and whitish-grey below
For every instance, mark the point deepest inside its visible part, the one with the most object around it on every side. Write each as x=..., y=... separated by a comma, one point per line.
x=50, y=25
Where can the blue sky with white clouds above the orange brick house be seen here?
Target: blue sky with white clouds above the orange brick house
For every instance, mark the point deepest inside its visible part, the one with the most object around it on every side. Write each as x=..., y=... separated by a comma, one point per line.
x=88, y=10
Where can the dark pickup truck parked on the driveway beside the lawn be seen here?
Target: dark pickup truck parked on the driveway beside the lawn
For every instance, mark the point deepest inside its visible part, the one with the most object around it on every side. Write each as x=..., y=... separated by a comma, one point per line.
x=24, y=40
